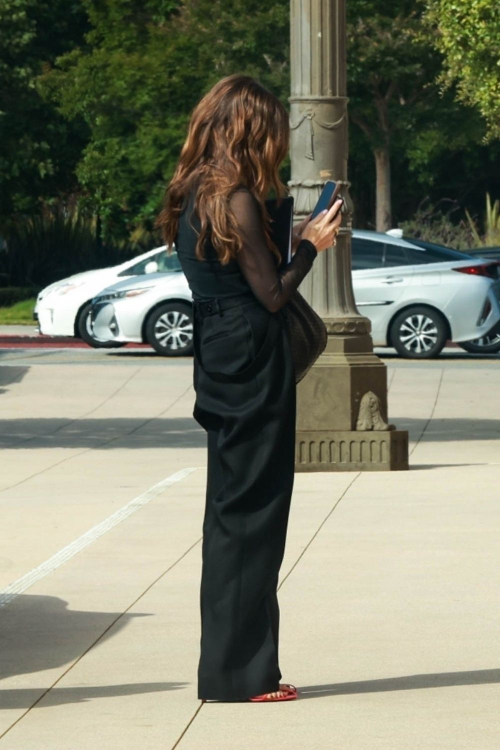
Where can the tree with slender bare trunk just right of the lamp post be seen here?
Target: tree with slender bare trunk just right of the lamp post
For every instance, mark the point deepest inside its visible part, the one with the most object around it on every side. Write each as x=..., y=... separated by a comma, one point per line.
x=392, y=67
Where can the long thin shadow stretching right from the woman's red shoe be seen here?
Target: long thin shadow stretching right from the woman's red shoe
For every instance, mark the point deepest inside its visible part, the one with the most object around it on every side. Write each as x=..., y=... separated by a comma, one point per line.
x=408, y=682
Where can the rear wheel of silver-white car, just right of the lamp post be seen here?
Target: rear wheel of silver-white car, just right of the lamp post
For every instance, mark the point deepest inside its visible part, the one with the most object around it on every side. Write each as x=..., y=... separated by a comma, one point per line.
x=418, y=333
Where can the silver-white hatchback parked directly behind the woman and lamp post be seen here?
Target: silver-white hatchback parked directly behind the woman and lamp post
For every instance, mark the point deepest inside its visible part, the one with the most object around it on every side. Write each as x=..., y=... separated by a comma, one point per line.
x=417, y=295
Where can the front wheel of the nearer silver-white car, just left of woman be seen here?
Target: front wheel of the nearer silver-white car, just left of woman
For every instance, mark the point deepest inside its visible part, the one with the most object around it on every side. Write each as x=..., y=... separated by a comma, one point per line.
x=169, y=329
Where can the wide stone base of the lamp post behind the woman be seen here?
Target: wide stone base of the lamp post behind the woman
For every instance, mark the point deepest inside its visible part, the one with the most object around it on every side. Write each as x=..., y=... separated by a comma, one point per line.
x=342, y=412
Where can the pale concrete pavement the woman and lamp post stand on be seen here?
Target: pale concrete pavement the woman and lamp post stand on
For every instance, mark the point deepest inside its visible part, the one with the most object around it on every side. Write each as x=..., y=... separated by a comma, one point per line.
x=388, y=593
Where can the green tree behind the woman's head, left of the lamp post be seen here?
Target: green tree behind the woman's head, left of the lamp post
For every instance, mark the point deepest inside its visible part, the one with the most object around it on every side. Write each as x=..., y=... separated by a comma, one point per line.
x=136, y=79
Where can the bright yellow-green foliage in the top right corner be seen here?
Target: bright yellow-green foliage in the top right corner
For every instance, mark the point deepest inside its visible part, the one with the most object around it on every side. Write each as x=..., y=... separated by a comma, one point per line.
x=467, y=33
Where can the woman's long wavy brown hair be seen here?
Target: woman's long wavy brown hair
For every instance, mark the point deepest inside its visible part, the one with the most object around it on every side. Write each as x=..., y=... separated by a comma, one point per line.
x=238, y=135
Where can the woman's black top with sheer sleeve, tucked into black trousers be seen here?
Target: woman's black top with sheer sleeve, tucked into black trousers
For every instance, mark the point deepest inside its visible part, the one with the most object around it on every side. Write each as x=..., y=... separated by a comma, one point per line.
x=253, y=271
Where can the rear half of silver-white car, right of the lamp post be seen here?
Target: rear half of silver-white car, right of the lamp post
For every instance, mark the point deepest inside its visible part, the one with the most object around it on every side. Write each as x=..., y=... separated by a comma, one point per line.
x=418, y=294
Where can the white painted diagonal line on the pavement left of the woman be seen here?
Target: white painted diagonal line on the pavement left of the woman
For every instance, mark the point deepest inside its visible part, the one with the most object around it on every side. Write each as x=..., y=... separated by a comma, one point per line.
x=66, y=553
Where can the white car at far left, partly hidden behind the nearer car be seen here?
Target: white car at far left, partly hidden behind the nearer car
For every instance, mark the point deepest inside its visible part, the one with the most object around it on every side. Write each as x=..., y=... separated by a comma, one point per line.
x=62, y=309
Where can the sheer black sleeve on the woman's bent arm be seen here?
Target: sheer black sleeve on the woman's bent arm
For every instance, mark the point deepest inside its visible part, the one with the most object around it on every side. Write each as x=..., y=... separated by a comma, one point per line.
x=272, y=288
